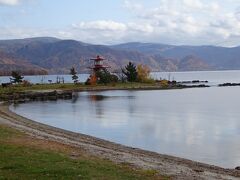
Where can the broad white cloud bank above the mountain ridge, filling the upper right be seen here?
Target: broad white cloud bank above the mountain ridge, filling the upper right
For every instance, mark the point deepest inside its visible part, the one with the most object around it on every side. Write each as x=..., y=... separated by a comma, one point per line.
x=172, y=21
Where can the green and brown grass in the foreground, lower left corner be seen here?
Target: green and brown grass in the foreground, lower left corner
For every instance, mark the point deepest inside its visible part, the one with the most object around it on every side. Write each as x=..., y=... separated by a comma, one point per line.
x=22, y=157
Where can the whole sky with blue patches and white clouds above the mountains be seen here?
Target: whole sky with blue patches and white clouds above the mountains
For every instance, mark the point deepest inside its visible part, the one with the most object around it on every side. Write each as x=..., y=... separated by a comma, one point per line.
x=178, y=22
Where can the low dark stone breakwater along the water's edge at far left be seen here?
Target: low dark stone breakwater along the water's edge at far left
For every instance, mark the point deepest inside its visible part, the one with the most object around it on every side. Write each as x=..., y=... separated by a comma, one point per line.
x=36, y=96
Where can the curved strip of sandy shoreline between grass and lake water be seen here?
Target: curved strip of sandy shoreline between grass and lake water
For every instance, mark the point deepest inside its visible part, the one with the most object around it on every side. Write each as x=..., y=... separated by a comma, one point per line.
x=178, y=168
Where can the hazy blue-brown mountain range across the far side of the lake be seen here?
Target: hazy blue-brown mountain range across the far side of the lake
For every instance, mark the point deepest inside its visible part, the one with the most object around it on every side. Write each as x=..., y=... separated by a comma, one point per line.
x=55, y=56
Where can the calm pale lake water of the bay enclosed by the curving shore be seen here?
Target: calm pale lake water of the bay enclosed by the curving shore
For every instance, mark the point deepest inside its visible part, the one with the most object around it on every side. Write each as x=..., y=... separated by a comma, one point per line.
x=201, y=124
